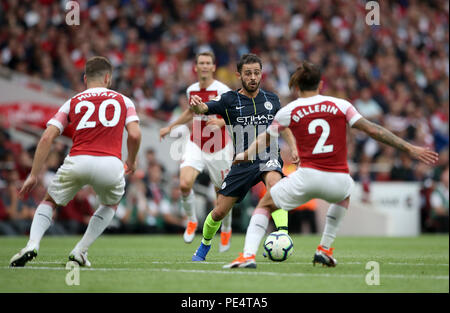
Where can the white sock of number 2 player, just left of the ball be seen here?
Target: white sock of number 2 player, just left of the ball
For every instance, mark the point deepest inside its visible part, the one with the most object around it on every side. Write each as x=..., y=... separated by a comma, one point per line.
x=255, y=232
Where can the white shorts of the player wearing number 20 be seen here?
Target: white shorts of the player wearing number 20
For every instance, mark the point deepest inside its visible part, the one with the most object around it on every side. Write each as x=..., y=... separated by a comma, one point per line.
x=104, y=173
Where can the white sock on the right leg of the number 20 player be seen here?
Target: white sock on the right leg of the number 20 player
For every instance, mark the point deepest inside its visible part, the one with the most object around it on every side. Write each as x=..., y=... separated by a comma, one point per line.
x=97, y=224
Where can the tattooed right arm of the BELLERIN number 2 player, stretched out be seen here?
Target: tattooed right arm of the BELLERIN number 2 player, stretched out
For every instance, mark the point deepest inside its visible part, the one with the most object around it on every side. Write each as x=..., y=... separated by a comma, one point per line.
x=383, y=135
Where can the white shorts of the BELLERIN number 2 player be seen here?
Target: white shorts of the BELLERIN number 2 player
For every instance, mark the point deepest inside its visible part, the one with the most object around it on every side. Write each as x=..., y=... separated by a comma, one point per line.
x=307, y=183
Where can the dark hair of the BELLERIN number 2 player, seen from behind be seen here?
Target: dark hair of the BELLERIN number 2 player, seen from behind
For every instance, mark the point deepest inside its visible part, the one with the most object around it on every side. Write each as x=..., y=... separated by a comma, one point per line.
x=306, y=77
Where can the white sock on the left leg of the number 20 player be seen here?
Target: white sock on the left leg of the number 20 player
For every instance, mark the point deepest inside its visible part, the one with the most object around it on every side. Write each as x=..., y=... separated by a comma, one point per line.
x=41, y=222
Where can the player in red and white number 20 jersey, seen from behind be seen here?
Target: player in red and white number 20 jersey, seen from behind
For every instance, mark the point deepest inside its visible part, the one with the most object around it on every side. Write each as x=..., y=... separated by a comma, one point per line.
x=99, y=116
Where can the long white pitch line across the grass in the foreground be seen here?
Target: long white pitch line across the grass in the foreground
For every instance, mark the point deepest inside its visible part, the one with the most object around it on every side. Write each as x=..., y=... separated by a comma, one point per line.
x=233, y=272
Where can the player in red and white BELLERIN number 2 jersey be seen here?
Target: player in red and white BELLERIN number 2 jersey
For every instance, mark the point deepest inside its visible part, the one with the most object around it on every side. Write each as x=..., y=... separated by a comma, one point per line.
x=319, y=125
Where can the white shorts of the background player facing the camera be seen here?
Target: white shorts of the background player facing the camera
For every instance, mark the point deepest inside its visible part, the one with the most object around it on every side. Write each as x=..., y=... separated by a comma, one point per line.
x=218, y=164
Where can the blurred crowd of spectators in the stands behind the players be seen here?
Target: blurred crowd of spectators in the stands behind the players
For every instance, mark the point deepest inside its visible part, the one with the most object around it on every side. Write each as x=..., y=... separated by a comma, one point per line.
x=395, y=73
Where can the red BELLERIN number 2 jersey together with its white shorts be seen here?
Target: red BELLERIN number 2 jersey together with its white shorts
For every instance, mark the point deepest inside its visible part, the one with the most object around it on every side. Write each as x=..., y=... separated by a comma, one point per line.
x=319, y=125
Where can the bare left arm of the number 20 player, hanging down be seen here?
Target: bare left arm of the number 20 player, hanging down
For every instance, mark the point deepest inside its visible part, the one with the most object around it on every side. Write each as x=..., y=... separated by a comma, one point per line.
x=41, y=154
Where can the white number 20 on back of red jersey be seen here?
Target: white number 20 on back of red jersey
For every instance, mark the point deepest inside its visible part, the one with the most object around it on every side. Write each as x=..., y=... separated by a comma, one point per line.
x=85, y=123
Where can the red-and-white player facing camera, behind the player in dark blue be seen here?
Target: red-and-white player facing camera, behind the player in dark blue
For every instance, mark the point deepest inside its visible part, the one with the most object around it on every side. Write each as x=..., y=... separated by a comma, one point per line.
x=209, y=146
